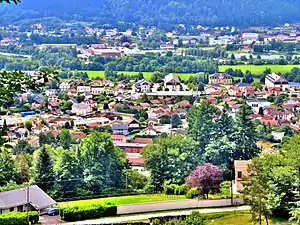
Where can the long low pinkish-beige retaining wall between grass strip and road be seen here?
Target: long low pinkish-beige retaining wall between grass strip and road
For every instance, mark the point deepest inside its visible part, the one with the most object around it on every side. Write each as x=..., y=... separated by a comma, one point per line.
x=175, y=205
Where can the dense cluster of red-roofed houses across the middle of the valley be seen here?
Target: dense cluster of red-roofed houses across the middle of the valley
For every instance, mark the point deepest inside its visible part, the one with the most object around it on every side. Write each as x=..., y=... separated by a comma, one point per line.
x=159, y=101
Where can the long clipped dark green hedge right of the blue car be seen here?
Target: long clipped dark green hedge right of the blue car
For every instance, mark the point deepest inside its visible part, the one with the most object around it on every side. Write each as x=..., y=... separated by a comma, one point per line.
x=76, y=213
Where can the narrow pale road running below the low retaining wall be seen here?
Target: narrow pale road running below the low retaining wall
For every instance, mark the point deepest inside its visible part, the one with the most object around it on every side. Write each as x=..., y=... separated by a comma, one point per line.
x=130, y=218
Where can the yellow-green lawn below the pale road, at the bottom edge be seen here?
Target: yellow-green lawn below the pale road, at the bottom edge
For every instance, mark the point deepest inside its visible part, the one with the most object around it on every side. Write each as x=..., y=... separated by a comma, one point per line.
x=236, y=218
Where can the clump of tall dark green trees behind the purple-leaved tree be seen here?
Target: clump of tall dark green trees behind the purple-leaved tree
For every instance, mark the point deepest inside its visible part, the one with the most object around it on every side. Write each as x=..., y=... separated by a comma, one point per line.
x=214, y=137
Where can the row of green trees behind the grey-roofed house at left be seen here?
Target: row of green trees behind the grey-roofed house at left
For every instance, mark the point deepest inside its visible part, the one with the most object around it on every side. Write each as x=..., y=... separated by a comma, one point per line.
x=94, y=166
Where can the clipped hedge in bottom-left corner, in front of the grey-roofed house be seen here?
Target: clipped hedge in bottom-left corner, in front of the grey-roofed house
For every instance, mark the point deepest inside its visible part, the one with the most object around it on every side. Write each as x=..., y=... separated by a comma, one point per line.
x=18, y=218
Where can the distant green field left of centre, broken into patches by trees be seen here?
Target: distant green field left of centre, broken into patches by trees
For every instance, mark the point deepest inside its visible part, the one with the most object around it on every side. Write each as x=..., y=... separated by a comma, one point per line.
x=147, y=75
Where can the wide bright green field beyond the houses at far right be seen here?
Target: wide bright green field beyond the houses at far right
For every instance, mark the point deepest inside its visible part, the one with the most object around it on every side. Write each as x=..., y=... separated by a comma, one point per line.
x=260, y=69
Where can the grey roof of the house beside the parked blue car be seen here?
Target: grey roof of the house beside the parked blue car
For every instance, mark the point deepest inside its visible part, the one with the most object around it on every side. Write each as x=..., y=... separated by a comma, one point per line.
x=37, y=198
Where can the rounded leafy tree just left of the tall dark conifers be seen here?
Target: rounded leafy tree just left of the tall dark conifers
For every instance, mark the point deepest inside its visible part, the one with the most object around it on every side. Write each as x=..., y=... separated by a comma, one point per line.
x=170, y=159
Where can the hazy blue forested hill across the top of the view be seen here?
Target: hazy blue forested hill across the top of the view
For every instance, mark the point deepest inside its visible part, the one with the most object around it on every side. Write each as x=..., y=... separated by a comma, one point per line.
x=159, y=12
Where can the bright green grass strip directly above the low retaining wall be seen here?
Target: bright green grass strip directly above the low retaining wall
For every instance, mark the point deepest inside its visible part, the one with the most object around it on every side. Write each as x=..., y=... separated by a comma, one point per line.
x=122, y=200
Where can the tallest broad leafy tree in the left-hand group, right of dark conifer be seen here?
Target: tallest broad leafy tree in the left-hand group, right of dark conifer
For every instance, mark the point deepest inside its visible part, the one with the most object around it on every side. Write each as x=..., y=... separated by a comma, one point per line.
x=101, y=162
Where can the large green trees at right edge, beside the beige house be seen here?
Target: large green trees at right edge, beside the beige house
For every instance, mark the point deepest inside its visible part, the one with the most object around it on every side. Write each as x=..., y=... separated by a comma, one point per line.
x=274, y=181
